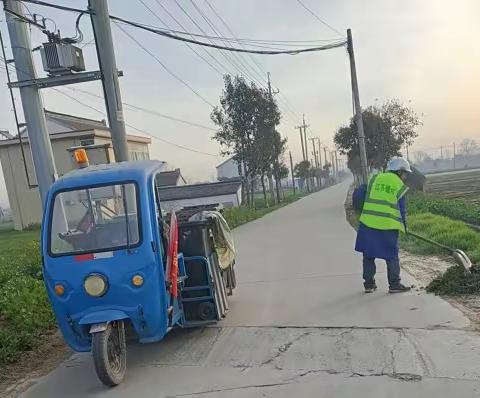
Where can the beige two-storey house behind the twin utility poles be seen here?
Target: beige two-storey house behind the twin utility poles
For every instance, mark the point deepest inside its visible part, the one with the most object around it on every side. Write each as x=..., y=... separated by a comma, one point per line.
x=67, y=132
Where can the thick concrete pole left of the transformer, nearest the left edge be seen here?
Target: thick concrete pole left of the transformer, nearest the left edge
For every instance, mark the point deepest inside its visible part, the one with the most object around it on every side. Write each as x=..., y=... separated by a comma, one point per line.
x=33, y=109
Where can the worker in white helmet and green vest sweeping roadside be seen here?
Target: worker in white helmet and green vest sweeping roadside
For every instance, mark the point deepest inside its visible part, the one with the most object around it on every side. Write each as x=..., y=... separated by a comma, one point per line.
x=383, y=216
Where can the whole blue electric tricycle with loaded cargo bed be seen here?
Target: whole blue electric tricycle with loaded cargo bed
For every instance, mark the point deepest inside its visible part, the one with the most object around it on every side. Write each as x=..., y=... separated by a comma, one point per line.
x=104, y=243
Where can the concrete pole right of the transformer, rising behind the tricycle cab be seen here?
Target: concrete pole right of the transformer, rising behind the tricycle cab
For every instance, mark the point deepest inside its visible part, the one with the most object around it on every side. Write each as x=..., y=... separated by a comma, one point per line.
x=106, y=59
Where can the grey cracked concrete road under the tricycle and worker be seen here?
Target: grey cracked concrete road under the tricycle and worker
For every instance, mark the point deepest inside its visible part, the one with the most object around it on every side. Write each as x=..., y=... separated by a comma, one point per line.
x=300, y=325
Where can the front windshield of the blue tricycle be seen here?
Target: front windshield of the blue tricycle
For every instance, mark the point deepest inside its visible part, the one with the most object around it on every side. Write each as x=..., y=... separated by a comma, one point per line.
x=94, y=219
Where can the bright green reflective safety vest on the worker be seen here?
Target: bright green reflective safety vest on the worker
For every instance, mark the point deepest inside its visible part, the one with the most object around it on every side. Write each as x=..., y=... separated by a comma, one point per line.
x=380, y=209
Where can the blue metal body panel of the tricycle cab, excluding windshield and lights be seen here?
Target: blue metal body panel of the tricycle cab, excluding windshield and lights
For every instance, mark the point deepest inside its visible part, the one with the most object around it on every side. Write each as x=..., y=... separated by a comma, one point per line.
x=145, y=306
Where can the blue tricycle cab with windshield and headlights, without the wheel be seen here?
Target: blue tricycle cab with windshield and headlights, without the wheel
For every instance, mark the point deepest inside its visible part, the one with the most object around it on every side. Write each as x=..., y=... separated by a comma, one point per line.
x=103, y=252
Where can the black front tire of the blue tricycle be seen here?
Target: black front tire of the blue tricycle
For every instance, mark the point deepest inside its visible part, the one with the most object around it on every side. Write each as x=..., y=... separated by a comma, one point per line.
x=110, y=354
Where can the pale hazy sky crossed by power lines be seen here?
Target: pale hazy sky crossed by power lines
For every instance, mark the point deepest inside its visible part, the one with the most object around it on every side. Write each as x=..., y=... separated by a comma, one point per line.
x=425, y=53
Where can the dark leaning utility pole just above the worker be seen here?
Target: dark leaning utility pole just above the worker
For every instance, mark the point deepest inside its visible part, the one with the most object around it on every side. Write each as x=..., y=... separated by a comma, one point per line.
x=358, y=108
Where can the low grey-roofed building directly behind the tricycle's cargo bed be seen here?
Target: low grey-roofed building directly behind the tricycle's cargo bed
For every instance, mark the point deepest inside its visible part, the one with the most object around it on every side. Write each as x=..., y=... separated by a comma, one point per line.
x=227, y=193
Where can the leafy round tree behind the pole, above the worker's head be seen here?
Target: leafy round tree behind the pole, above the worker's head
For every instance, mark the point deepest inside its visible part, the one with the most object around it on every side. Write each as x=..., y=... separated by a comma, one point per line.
x=387, y=129
